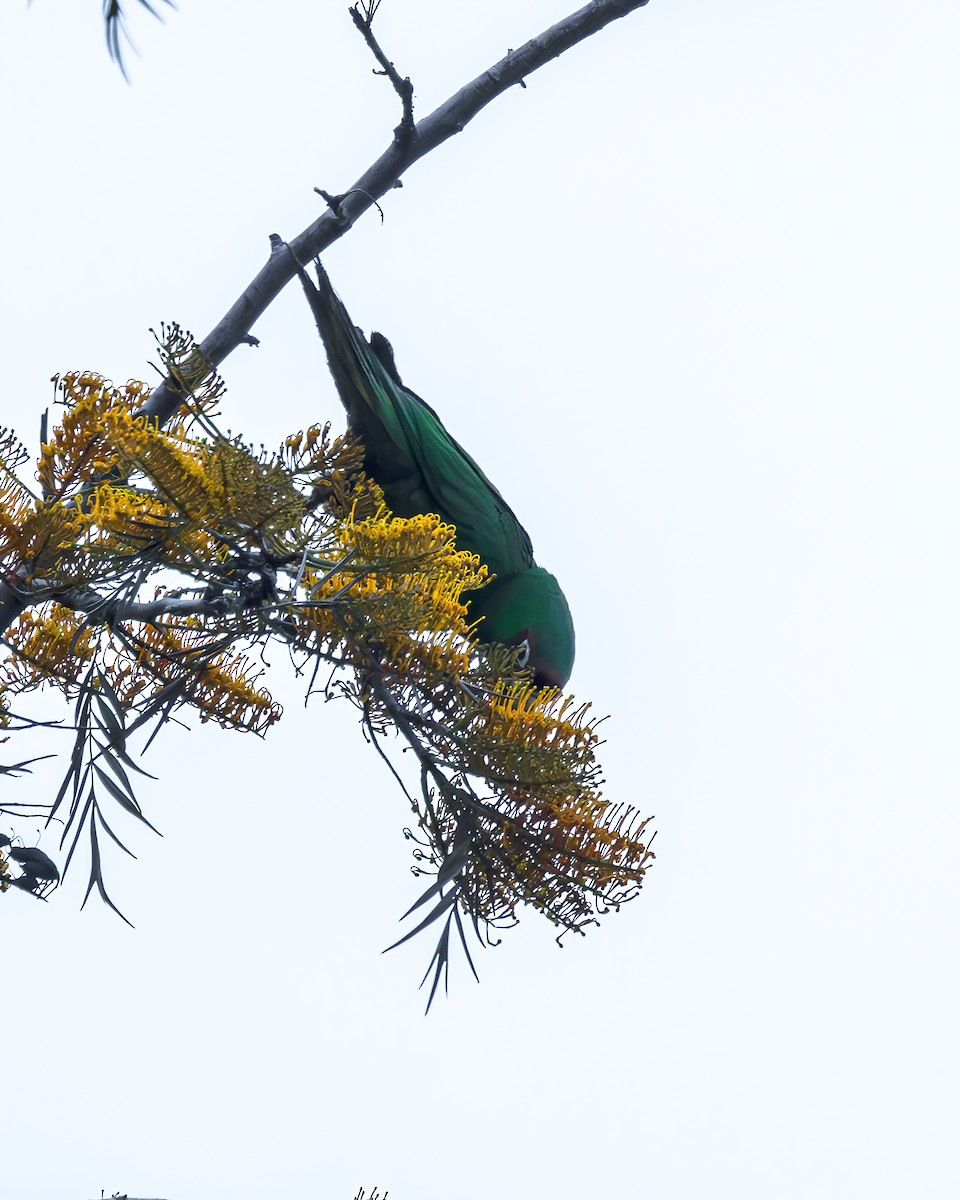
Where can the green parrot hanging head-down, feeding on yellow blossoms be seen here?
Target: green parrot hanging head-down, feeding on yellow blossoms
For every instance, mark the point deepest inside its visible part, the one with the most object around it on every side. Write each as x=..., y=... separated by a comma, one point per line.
x=423, y=470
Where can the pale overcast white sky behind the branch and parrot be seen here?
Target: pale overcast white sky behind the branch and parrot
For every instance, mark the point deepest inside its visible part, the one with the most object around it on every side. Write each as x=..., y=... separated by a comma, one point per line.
x=692, y=301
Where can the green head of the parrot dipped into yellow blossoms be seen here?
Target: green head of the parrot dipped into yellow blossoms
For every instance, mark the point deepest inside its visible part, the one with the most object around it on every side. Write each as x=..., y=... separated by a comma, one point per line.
x=530, y=609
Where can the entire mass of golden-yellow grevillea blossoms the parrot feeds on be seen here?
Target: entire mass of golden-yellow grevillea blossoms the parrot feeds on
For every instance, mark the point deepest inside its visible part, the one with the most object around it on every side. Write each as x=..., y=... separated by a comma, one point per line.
x=242, y=548
